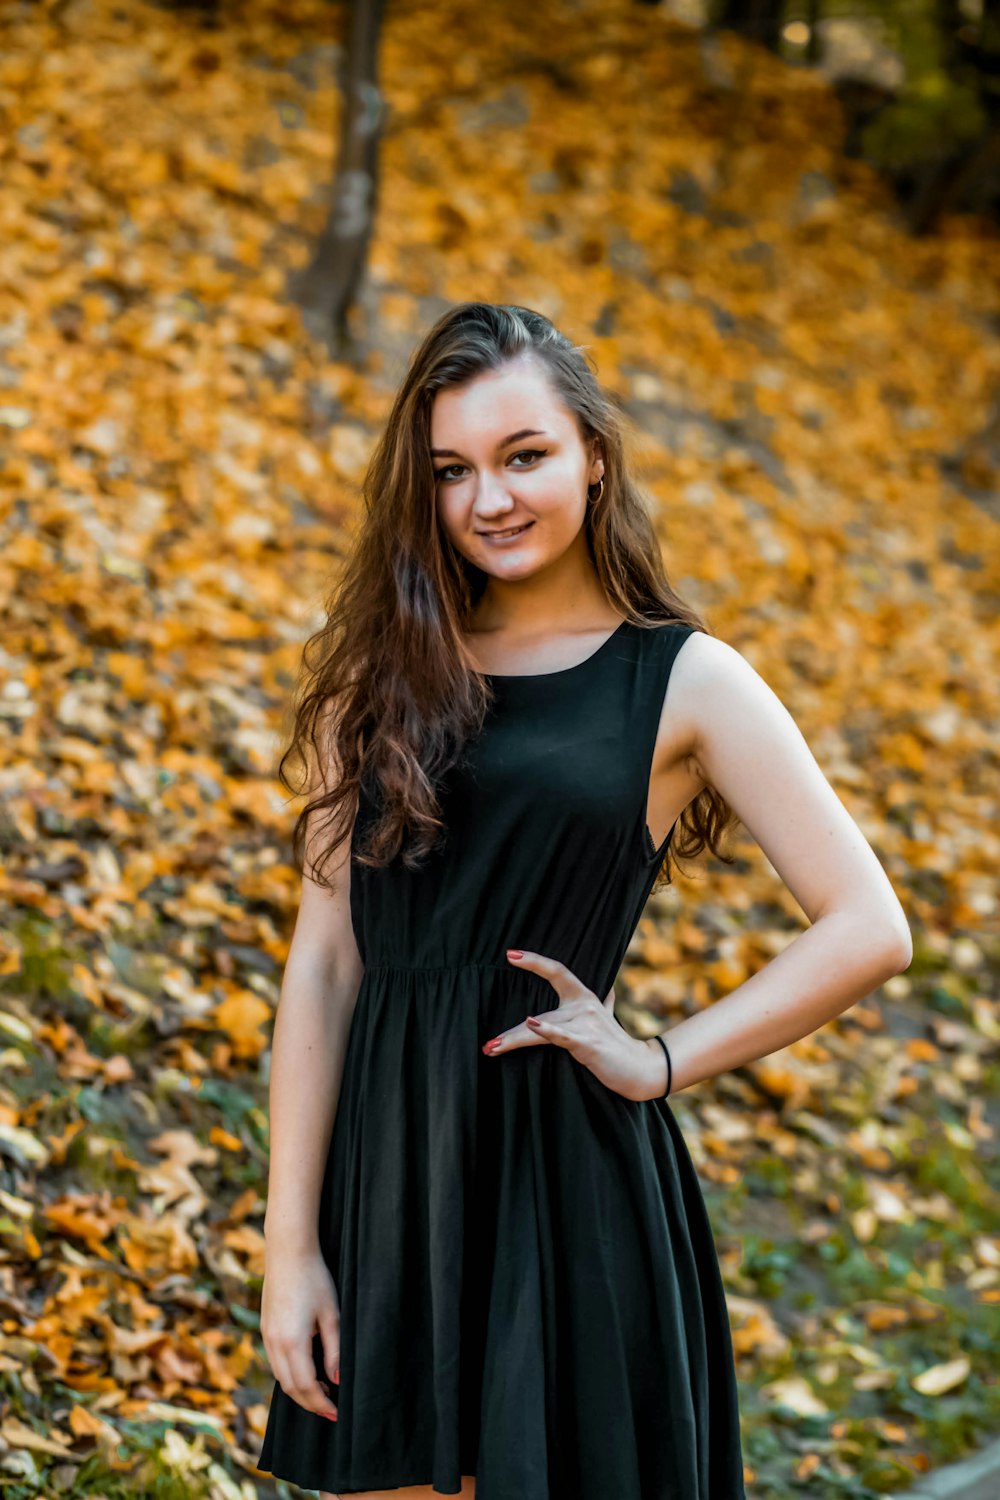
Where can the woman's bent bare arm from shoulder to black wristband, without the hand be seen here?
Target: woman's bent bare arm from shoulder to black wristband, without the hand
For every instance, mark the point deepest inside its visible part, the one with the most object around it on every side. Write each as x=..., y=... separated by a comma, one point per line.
x=747, y=746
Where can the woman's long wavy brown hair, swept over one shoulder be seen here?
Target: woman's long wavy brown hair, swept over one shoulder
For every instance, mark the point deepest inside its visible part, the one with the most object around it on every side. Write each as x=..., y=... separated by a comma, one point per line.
x=388, y=694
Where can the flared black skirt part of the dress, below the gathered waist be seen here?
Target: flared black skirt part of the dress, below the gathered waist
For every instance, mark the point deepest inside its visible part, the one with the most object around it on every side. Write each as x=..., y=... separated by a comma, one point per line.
x=528, y=1285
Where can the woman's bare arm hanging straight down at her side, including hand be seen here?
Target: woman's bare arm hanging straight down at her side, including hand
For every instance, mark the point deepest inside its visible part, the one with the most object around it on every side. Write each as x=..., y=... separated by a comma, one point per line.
x=316, y=1006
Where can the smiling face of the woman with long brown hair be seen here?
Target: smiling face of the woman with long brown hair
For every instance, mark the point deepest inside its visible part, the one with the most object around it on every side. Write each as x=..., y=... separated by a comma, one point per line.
x=509, y=455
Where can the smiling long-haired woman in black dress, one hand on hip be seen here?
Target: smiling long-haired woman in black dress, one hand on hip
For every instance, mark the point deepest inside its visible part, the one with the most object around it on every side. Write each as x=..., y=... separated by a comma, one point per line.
x=488, y=1255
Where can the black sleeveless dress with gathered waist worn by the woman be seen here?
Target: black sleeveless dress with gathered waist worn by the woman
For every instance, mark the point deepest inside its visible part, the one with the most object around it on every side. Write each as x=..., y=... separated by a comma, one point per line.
x=530, y=1289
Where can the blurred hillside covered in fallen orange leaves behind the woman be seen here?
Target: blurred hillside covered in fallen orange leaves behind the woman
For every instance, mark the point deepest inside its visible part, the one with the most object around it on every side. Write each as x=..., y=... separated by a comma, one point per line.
x=223, y=229
